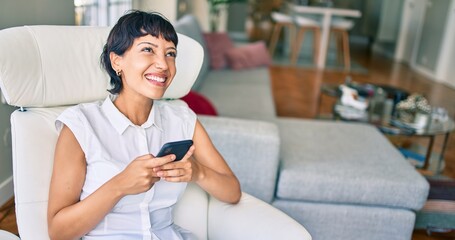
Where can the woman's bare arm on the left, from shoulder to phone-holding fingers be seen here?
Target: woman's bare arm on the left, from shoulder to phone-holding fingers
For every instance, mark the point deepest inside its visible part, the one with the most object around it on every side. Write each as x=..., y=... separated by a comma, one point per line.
x=69, y=218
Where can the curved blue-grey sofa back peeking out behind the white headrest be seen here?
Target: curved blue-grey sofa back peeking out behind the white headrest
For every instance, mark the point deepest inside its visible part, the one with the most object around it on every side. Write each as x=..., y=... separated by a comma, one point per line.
x=189, y=26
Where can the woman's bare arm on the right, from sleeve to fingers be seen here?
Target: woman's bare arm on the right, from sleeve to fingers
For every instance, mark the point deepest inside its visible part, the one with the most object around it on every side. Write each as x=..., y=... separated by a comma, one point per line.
x=208, y=169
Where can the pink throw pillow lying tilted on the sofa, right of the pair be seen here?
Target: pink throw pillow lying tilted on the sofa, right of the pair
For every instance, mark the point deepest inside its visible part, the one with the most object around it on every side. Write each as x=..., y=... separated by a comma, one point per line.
x=248, y=56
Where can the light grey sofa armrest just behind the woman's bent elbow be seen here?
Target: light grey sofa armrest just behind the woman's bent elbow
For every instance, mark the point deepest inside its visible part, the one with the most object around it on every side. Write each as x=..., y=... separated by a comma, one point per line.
x=251, y=148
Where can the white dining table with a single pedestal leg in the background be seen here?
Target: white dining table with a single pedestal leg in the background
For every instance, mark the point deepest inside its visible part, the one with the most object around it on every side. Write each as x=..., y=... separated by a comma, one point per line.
x=327, y=13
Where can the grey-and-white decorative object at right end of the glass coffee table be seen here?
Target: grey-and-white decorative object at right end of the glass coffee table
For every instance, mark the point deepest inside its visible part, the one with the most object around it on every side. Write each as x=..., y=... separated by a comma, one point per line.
x=414, y=111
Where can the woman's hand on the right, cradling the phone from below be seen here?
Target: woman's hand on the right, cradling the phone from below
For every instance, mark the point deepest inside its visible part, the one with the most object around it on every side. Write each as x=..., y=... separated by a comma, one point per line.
x=185, y=170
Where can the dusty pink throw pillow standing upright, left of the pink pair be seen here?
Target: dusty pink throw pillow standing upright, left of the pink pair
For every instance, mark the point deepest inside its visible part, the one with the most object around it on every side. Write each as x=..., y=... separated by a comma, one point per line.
x=217, y=45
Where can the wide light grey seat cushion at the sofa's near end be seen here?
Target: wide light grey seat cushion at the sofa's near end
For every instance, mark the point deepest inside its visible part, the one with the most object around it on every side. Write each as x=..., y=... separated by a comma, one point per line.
x=350, y=163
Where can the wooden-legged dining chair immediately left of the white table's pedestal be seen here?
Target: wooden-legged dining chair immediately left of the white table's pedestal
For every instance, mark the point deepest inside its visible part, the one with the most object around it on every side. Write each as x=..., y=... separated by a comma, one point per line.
x=305, y=24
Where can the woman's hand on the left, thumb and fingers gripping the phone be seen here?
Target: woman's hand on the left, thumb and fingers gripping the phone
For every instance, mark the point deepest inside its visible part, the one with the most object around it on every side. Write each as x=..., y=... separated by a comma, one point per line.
x=140, y=175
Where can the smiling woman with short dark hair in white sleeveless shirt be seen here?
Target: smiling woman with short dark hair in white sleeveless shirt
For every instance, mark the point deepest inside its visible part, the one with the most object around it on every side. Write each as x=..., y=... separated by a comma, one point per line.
x=106, y=182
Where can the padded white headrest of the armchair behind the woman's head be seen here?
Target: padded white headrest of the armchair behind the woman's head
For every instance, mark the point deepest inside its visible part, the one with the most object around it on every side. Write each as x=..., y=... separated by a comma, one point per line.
x=48, y=66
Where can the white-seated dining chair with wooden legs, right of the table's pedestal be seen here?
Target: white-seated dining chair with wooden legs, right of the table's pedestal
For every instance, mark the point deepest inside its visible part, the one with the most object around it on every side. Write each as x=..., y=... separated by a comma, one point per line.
x=339, y=29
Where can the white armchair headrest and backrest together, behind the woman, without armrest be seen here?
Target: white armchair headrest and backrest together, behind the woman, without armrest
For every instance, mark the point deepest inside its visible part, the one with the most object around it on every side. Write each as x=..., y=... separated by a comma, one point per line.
x=45, y=69
